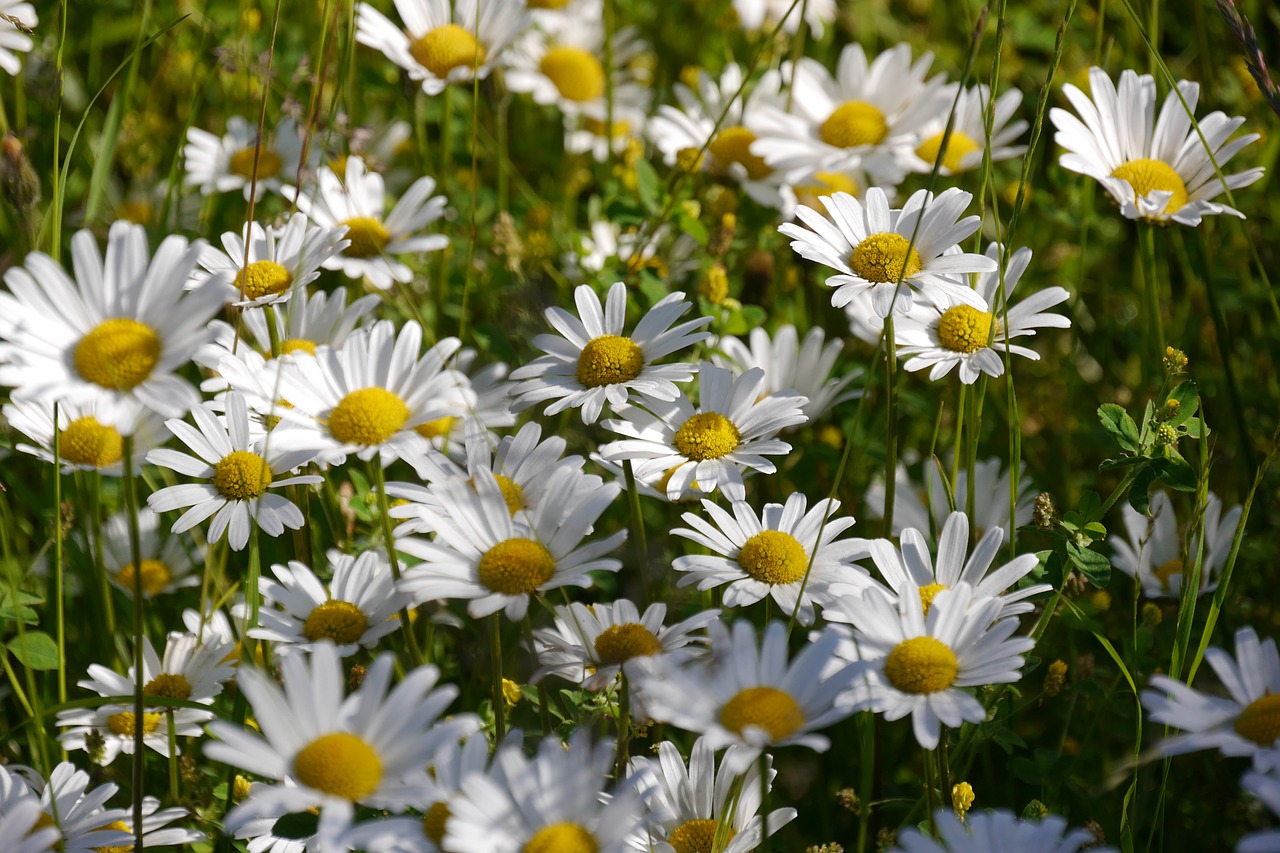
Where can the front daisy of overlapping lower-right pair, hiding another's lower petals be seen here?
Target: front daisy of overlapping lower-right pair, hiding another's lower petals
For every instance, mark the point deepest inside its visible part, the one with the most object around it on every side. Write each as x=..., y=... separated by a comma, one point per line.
x=920, y=664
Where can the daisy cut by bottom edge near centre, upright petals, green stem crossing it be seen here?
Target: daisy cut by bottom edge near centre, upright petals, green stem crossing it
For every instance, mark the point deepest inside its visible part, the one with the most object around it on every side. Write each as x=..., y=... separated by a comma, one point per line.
x=689, y=806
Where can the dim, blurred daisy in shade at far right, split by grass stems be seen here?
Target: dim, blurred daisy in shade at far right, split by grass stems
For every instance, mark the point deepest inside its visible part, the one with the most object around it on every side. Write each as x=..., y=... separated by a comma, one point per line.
x=1154, y=553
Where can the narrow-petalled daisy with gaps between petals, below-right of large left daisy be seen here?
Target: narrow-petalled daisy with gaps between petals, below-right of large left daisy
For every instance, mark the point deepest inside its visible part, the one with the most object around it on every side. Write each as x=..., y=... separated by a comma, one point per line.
x=239, y=471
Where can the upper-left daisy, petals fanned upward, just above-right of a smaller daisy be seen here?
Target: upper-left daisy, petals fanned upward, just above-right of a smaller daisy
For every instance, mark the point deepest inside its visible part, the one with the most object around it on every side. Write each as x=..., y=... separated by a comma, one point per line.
x=374, y=238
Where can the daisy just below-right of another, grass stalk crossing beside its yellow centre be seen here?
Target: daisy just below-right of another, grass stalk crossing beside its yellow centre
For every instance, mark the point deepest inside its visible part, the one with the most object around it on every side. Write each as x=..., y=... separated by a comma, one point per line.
x=976, y=336
